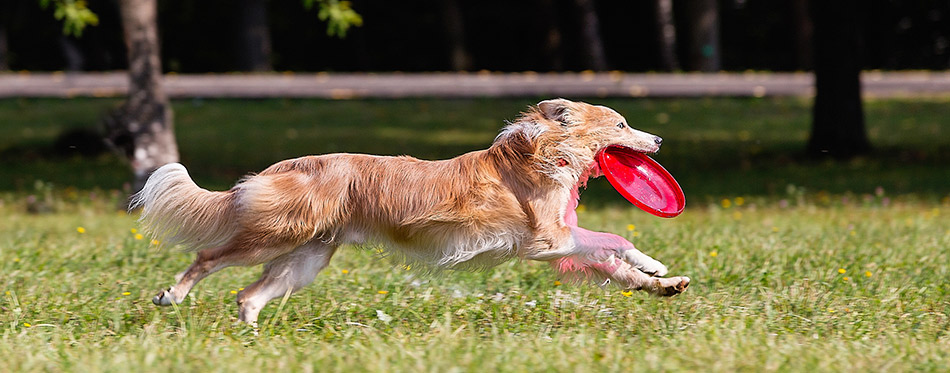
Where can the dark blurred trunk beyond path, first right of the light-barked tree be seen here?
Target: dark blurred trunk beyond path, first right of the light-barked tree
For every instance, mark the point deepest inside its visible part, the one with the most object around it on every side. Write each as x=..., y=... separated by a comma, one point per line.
x=254, y=48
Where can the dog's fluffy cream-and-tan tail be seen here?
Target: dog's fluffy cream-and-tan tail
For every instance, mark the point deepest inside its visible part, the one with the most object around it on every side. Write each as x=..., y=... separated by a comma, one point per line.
x=177, y=211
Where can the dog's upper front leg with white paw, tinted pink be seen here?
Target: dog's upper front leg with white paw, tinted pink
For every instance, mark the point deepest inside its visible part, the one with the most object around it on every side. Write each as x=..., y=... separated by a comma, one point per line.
x=599, y=246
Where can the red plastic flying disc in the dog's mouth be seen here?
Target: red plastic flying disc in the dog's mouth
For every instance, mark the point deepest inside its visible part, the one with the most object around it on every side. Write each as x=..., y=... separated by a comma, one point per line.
x=642, y=181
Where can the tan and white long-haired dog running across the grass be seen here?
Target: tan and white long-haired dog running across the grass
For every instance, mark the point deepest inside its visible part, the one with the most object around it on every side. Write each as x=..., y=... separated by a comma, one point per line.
x=515, y=199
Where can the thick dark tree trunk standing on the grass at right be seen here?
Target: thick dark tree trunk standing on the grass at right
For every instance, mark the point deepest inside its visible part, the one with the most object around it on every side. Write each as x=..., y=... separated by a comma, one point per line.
x=837, y=116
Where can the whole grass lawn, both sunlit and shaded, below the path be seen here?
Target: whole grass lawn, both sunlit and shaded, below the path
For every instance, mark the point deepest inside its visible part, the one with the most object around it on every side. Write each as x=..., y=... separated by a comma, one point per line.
x=797, y=264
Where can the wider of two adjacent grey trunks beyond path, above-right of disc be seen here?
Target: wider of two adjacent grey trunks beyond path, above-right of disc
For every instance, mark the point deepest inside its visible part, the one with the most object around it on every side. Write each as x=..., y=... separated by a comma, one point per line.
x=703, y=47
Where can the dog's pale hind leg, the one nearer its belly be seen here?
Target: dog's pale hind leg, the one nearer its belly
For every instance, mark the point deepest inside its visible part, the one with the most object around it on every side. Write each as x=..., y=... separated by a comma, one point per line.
x=289, y=272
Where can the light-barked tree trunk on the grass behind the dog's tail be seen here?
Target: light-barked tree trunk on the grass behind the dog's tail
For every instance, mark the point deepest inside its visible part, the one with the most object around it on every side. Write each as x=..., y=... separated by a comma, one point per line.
x=142, y=127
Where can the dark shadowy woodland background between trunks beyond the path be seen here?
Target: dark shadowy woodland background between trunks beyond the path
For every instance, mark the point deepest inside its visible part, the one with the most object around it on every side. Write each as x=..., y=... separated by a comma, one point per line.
x=422, y=35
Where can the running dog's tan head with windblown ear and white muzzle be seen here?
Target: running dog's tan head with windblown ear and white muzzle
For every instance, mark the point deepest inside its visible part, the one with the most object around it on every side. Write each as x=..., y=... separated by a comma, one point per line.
x=563, y=137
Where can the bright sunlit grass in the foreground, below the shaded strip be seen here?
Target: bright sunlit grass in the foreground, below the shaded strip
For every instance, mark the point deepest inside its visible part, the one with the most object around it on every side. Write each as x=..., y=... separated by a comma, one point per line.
x=767, y=295
